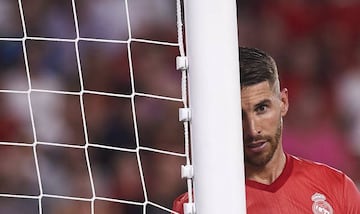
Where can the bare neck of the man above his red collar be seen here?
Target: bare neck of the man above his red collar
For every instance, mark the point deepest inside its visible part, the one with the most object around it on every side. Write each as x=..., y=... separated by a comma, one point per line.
x=270, y=172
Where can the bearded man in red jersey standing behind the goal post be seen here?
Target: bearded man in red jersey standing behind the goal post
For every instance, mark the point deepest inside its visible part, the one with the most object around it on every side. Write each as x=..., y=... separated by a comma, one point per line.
x=277, y=182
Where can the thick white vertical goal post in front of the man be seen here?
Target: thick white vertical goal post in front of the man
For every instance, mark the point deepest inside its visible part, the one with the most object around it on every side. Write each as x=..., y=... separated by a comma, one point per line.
x=216, y=130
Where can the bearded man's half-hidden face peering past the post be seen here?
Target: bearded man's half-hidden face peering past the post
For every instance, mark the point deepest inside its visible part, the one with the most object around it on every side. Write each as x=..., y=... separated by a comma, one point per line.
x=262, y=112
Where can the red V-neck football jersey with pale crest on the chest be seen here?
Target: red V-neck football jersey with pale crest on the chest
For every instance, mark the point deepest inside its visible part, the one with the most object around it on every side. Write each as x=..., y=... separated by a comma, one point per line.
x=302, y=187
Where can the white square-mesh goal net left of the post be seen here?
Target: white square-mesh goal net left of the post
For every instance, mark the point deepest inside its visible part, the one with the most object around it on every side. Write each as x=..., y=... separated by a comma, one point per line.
x=89, y=100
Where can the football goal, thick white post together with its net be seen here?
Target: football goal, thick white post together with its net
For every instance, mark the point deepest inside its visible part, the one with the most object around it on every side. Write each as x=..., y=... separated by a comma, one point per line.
x=89, y=107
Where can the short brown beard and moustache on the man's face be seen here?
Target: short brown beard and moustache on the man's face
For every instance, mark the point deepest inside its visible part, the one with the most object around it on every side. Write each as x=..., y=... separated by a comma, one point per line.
x=262, y=159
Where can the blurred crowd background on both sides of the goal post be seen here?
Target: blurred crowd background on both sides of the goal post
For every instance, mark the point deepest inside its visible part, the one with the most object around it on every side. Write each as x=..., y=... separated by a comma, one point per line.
x=315, y=43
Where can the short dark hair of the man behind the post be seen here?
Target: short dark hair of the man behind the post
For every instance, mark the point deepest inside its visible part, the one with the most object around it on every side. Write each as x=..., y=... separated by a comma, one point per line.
x=257, y=66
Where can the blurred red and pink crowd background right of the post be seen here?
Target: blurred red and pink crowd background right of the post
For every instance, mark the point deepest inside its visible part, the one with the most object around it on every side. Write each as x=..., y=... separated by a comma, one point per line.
x=317, y=47
